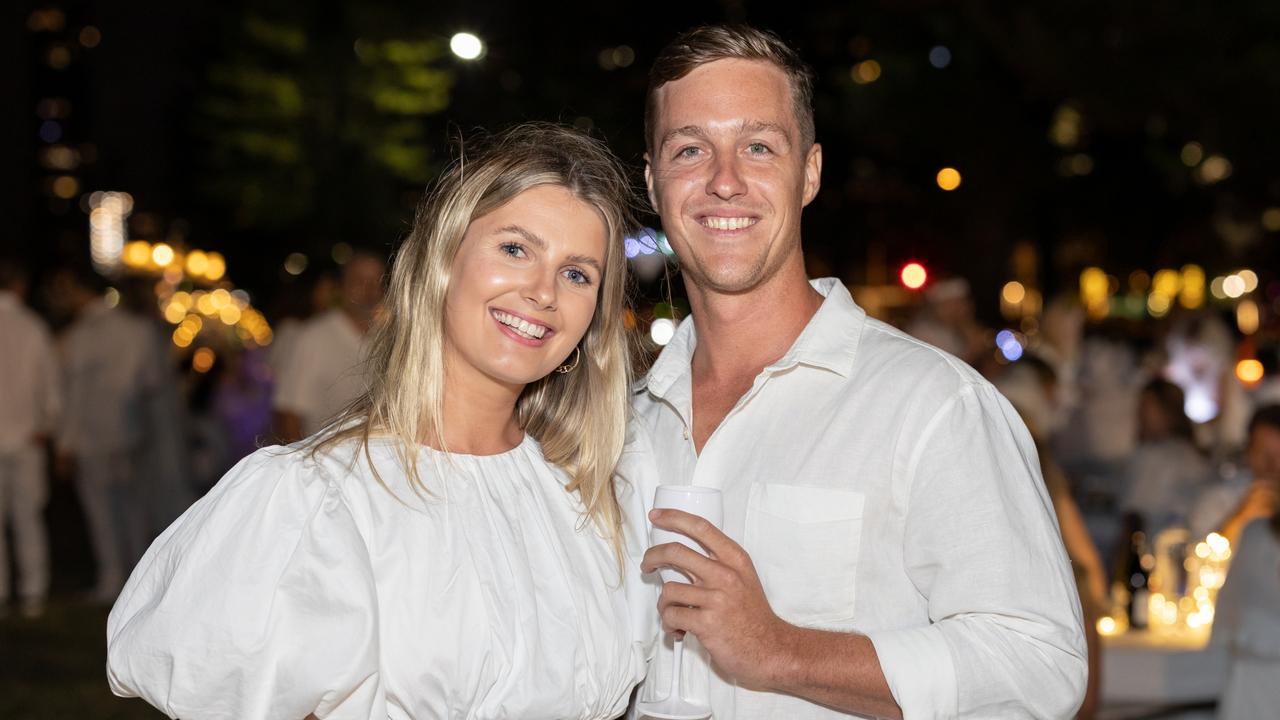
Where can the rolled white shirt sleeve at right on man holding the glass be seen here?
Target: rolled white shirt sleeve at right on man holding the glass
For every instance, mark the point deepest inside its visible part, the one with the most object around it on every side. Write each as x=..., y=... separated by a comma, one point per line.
x=982, y=546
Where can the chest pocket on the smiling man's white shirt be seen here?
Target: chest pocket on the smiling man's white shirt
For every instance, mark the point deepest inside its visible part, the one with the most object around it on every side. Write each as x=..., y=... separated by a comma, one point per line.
x=804, y=543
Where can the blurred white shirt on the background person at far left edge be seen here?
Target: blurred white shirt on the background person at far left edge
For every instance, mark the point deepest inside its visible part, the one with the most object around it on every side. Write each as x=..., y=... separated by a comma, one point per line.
x=30, y=395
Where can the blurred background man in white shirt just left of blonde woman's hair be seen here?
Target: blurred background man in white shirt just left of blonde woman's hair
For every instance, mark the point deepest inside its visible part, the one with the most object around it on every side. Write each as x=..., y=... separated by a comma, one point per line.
x=324, y=370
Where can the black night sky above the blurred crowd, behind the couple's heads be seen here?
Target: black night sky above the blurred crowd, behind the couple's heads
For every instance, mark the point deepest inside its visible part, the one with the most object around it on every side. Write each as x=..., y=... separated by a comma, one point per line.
x=1116, y=189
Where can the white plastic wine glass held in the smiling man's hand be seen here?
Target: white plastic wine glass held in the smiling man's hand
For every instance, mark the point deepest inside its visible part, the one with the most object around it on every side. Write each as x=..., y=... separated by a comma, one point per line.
x=705, y=503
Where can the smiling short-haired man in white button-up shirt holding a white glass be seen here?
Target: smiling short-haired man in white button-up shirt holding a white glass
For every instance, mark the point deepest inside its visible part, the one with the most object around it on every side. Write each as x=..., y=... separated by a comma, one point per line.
x=889, y=548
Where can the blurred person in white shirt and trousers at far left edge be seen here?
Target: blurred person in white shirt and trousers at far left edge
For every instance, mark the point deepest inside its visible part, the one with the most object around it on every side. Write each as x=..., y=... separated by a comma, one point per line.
x=30, y=400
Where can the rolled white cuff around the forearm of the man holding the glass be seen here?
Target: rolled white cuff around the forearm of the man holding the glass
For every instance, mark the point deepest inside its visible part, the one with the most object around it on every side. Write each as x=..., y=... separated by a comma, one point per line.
x=918, y=668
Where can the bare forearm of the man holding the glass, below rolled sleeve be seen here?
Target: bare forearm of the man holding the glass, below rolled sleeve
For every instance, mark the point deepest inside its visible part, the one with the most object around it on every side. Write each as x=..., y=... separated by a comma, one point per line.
x=840, y=671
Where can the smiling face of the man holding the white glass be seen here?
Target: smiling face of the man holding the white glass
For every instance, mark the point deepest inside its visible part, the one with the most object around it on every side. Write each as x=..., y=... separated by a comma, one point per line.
x=730, y=174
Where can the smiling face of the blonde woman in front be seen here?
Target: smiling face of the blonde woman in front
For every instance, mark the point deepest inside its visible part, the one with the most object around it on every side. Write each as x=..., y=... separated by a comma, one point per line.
x=523, y=290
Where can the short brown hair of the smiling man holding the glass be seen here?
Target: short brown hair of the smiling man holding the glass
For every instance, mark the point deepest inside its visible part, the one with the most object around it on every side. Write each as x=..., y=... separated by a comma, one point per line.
x=707, y=44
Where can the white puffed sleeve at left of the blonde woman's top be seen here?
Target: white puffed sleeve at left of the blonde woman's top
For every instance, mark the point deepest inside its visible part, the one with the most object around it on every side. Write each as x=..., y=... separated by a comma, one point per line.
x=258, y=603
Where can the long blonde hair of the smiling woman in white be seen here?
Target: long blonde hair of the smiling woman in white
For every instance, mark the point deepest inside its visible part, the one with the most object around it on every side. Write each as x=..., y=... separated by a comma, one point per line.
x=579, y=417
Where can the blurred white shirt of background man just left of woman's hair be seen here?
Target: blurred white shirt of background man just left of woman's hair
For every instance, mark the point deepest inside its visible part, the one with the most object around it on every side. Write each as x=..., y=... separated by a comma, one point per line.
x=323, y=371
